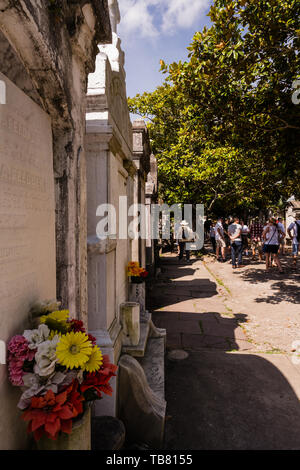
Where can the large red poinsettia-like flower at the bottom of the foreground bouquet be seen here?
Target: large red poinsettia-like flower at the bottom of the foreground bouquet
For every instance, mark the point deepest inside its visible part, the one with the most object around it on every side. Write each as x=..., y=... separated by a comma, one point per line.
x=52, y=413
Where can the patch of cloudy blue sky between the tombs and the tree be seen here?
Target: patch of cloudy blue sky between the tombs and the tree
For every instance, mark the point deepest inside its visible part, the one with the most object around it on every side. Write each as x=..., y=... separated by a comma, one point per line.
x=151, y=30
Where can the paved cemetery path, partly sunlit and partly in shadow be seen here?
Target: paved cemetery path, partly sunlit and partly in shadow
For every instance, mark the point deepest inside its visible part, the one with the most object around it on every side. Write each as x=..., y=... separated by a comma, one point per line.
x=238, y=388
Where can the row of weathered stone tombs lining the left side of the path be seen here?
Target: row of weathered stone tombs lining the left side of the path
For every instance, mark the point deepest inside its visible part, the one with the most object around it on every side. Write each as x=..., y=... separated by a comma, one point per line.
x=67, y=146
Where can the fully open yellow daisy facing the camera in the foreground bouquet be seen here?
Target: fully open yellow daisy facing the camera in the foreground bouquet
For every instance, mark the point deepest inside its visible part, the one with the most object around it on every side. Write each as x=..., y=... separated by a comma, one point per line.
x=74, y=349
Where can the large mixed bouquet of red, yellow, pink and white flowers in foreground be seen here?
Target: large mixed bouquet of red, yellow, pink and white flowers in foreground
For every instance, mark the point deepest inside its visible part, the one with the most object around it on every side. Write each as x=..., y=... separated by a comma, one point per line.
x=59, y=369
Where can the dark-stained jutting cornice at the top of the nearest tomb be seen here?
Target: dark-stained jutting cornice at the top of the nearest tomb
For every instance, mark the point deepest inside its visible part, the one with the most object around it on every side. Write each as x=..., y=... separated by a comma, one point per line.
x=46, y=39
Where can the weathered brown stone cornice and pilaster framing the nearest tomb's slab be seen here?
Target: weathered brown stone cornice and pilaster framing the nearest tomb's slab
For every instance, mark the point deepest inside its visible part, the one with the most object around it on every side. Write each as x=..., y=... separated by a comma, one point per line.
x=57, y=46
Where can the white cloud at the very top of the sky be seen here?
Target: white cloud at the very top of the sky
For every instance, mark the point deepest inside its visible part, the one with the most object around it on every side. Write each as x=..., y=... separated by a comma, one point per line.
x=149, y=18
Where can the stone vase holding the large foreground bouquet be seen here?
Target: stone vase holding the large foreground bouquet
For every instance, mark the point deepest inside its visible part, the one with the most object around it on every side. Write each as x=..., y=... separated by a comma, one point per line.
x=79, y=439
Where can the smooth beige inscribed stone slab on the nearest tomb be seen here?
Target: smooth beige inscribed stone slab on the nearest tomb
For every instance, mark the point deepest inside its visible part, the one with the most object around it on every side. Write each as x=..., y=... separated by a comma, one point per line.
x=27, y=210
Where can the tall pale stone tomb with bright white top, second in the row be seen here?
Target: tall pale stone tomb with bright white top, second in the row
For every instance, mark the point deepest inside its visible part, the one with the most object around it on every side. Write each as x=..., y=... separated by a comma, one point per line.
x=110, y=170
